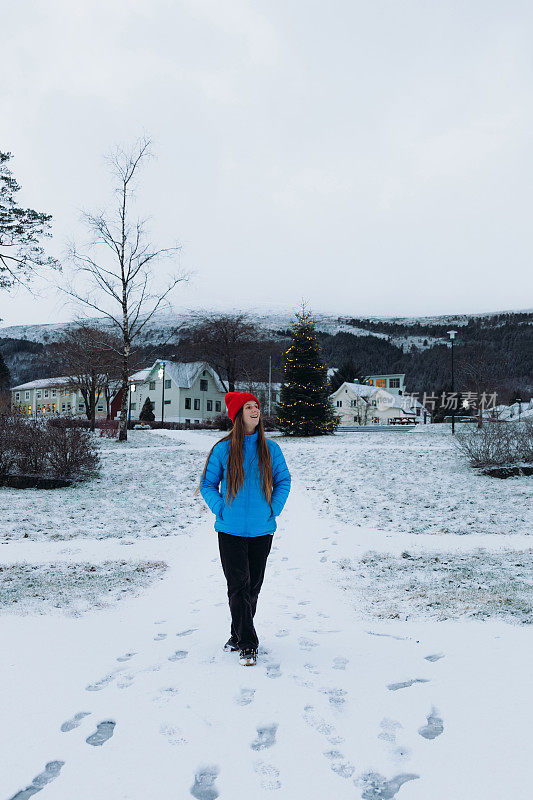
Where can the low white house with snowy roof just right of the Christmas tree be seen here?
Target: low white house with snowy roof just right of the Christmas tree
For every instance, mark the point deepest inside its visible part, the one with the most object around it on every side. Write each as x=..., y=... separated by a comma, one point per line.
x=360, y=404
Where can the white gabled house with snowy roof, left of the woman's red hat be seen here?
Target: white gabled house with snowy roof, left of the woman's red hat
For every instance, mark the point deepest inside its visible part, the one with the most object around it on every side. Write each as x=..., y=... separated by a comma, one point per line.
x=180, y=392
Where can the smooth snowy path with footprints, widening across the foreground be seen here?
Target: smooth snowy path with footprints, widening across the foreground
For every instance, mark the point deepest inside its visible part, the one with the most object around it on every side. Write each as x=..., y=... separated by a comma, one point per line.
x=141, y=701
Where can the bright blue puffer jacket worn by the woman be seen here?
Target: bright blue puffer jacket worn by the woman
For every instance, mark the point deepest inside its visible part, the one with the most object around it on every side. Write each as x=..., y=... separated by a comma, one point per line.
x=249, y=513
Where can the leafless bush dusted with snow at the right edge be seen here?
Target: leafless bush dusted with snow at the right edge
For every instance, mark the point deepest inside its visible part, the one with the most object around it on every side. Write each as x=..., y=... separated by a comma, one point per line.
x=497, y=444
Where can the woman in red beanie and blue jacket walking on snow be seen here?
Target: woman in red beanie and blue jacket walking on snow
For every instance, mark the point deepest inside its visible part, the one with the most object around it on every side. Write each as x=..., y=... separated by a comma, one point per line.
x=254, y=485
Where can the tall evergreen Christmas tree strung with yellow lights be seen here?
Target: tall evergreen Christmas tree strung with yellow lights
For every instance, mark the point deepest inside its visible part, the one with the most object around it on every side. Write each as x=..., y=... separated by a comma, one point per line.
x=304, y=408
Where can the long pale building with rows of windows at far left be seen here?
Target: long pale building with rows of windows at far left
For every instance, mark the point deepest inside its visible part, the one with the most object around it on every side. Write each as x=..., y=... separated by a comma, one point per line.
x=51, y=397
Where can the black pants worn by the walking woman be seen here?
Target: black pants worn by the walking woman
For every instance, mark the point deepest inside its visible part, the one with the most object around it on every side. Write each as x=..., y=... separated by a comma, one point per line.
x=244, y=561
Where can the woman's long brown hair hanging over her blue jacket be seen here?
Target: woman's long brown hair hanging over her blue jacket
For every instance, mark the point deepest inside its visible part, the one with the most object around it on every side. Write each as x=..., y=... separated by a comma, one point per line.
x=235, y=473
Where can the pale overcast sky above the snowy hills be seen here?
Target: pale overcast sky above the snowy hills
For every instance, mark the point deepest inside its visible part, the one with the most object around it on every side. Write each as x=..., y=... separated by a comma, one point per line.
x=374, y=158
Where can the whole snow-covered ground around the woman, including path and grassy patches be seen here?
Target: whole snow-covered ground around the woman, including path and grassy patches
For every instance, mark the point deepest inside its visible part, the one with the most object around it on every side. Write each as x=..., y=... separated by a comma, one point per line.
x=394, y=658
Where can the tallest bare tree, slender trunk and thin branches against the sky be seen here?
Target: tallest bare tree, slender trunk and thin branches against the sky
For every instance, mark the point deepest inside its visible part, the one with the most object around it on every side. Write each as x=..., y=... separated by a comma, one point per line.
x=120, y=265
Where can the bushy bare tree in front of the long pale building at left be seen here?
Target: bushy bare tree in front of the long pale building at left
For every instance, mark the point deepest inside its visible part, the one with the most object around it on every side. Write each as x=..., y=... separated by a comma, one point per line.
x=90, y=357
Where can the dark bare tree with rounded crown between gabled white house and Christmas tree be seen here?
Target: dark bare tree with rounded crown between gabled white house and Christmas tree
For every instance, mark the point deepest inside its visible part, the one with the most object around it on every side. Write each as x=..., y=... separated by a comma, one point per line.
x=231, y=344
